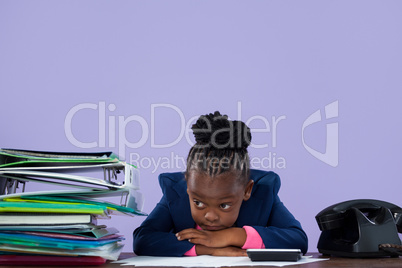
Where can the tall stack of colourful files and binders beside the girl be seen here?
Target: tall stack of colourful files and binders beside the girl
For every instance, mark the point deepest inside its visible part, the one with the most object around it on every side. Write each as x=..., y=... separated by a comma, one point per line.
x=61, y=226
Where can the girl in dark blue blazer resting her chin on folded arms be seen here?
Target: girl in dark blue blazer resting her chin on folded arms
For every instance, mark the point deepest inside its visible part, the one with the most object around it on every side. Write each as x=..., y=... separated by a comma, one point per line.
x=219, y=206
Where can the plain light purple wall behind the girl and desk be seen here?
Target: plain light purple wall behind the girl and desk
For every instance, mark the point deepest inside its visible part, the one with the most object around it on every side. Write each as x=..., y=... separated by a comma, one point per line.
x=272, y=58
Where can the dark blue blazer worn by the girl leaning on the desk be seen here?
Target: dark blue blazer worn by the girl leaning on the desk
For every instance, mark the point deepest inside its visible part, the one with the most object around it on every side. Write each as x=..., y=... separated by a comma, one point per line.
x=263, y=211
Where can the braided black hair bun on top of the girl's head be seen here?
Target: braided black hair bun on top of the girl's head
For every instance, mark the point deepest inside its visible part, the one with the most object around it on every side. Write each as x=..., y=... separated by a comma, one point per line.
x=219, y=132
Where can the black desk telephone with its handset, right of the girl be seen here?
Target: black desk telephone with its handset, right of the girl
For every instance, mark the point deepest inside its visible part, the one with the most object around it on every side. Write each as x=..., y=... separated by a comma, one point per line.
x=360, y=228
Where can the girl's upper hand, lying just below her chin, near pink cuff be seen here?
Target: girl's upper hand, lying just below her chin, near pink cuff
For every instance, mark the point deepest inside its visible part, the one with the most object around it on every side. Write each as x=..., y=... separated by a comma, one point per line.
x=216, y=239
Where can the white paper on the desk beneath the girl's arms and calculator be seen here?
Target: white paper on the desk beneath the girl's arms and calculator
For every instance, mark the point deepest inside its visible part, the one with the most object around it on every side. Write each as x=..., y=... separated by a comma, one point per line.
x=207, y=261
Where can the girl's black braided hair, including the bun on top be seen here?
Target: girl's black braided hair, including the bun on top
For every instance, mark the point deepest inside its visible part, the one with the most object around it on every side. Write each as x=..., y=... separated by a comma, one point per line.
x=221, y=146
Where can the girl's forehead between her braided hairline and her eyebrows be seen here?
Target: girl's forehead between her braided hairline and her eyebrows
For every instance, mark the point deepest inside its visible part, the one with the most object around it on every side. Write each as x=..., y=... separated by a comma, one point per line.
x=217, y=187
